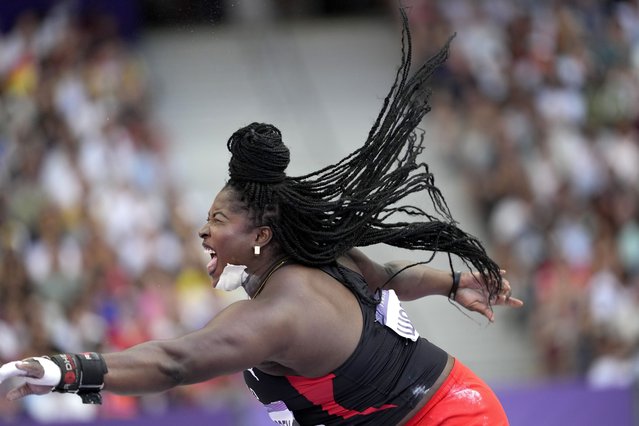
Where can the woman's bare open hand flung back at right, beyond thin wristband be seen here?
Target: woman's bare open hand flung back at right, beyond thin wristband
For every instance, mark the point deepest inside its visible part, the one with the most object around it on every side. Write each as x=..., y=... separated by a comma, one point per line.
x=473, y=296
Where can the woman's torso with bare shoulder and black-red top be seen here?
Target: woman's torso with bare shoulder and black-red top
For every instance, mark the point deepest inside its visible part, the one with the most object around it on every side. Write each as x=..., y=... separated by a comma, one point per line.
x=333, y=348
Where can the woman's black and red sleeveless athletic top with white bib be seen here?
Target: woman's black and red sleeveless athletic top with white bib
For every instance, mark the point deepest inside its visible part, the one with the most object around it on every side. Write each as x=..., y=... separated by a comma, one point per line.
x=379, y=384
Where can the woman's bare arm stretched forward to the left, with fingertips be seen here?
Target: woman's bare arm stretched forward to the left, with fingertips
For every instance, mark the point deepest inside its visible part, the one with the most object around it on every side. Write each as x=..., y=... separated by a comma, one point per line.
x=242, y=336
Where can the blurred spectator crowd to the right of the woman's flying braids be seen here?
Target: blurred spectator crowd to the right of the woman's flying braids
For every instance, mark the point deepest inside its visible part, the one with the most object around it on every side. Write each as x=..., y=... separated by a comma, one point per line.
x=538, y=110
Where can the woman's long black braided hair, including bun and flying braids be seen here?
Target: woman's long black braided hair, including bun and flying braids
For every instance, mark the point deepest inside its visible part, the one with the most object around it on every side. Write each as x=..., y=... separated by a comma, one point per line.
x=318, y=217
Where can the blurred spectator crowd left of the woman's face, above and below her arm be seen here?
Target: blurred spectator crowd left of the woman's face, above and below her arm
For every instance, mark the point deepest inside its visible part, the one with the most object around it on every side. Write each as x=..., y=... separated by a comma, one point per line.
x=98, y=251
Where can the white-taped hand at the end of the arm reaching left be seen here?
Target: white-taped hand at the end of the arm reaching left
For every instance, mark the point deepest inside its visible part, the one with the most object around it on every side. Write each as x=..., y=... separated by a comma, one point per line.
x=39, y=381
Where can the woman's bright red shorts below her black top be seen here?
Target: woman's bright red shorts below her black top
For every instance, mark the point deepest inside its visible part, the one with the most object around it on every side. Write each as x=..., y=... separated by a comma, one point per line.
x=463, y=399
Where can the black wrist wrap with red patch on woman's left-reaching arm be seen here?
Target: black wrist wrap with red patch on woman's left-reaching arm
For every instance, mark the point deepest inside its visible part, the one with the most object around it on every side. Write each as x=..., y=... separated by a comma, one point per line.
x=82, y=374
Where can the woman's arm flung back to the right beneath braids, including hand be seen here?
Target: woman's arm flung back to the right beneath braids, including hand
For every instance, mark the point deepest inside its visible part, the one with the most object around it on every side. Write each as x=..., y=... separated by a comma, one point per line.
x=420, y=281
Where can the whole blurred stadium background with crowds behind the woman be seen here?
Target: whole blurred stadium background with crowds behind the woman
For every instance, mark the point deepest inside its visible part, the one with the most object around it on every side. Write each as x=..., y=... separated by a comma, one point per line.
x=114, y=118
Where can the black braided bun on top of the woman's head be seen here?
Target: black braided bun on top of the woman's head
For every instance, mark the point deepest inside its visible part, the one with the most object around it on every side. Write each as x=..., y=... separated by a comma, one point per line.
x=258, y=154
